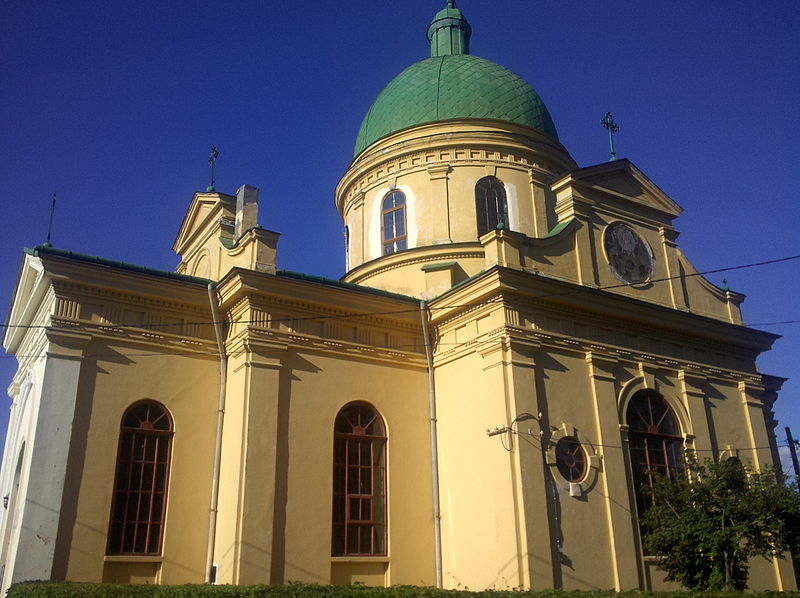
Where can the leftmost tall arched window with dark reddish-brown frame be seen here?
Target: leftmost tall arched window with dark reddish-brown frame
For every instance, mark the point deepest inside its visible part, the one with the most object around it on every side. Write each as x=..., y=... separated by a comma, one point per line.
x=140, y=485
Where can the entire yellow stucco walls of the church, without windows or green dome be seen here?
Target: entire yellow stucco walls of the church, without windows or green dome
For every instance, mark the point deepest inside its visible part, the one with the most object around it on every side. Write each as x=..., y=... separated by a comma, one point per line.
x=534, y=336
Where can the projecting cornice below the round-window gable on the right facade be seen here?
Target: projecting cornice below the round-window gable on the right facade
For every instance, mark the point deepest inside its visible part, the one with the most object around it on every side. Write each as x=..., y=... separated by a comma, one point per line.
x=713, y=343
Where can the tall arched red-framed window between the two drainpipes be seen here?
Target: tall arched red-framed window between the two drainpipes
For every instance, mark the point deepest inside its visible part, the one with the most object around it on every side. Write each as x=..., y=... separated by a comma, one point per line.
x=359, y=482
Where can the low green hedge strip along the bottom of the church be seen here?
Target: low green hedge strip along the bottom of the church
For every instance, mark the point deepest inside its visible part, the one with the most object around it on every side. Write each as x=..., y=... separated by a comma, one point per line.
x=298, y=590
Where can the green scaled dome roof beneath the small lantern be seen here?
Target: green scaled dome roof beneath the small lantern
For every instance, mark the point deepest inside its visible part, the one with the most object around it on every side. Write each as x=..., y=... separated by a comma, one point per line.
x=453, y=86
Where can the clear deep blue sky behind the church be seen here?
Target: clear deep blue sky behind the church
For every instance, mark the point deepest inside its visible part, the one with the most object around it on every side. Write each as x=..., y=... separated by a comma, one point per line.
x=114, y=104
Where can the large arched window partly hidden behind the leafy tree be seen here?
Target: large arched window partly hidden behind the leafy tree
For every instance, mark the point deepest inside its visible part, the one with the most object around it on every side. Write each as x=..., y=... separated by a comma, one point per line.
x=656, y=443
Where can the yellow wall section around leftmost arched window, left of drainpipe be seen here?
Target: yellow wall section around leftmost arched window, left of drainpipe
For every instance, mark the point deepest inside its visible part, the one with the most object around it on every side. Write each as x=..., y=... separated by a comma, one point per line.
x=109, y=385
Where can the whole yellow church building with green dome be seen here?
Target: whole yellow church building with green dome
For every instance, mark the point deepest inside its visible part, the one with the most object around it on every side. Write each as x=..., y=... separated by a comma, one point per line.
x=517, y=346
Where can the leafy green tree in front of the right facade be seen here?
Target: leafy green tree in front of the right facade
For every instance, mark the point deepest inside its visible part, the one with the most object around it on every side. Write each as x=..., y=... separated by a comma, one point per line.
x=708, y=524
